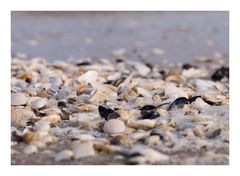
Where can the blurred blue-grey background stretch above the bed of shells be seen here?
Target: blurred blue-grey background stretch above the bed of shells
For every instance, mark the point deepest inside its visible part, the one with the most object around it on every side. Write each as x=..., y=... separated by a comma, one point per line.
x=152, y=36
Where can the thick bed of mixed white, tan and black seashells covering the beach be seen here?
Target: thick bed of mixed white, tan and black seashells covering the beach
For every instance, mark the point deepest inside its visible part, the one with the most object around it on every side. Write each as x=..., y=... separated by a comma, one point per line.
x=138, y=112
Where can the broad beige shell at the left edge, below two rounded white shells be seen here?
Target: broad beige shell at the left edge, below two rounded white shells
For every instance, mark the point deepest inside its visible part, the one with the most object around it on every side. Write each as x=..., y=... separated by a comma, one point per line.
x=20, y=117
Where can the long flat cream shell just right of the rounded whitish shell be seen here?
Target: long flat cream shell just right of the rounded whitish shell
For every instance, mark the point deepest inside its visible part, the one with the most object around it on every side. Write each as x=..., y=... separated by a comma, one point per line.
x=142, y=124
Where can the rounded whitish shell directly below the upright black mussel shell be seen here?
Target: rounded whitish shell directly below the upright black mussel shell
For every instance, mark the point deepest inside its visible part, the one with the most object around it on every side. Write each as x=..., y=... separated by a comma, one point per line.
x=114, y=126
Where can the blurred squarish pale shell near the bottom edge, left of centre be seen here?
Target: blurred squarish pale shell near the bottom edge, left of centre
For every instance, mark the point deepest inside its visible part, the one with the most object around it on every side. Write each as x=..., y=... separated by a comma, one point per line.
x=82, y=150
